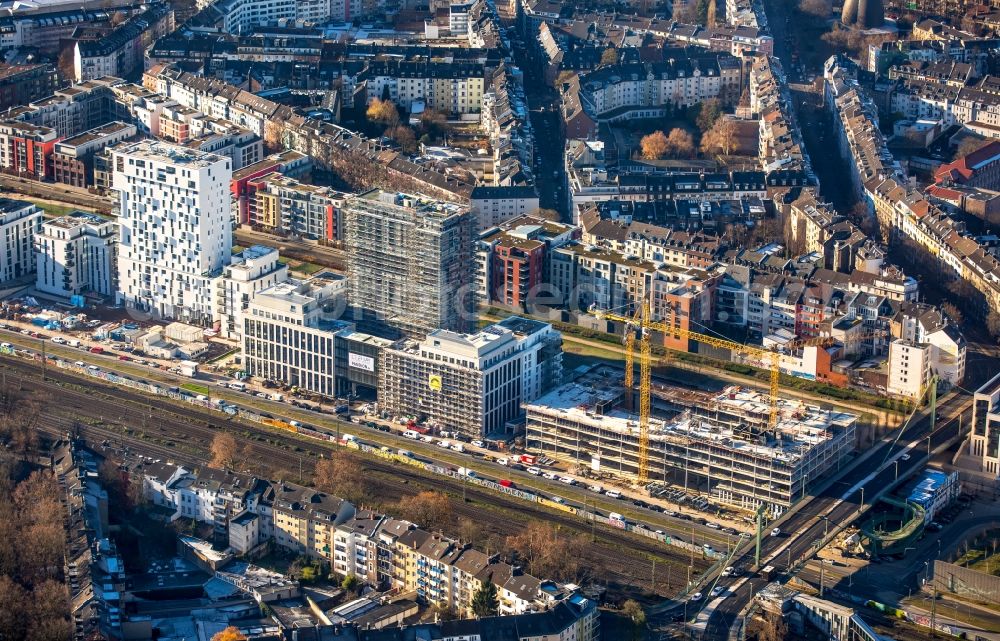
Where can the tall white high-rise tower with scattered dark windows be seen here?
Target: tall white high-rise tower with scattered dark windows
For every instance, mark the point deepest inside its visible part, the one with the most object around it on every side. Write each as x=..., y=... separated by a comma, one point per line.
x=175, y=228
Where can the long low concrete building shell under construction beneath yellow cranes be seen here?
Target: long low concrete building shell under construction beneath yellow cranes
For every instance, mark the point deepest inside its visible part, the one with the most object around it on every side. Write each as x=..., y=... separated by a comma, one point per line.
x=714, y=444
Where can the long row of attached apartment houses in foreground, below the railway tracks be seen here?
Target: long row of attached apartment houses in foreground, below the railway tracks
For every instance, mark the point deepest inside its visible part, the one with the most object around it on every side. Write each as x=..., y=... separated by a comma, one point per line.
x=380, y=550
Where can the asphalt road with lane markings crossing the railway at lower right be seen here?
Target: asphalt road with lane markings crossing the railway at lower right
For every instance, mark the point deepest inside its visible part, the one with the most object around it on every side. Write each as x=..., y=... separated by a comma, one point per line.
x=839, y=503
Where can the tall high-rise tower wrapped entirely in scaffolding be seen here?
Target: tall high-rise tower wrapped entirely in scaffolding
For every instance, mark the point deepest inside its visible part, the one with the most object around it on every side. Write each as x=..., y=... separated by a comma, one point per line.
x=409, y=261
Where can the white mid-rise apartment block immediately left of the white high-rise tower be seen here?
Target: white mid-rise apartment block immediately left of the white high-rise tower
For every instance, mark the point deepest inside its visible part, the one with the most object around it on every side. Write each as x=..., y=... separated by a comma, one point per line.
x=76, y=255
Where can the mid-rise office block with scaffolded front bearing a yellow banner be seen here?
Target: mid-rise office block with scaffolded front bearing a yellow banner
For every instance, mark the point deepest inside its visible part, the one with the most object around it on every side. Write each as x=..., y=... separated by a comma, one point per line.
x=471, y=383
